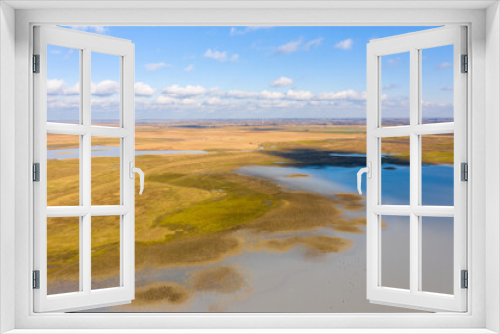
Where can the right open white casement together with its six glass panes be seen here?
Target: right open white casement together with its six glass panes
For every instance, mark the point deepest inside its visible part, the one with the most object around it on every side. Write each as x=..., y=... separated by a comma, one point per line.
x=409, y=206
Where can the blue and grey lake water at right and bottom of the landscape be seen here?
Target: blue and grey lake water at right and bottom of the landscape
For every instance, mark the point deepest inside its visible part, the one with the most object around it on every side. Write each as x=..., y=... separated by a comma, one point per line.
x=292, y=281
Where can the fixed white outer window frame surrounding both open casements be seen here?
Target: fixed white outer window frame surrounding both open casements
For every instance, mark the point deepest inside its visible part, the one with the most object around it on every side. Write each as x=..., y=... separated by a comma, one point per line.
x=483, y=311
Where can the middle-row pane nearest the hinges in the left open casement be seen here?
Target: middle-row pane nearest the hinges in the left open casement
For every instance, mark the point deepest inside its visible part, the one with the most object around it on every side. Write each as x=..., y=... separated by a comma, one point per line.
x=63, y=170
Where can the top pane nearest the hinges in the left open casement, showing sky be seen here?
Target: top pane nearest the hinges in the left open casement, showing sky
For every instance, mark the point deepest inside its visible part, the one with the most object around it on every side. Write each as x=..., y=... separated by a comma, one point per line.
x=63, y=84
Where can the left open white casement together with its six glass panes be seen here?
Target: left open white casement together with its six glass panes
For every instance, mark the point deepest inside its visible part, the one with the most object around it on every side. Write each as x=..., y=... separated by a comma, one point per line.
x=74, y=221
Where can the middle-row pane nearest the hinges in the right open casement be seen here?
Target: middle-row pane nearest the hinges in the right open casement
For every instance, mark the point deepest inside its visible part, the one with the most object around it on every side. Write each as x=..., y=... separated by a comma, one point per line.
x=437, y=169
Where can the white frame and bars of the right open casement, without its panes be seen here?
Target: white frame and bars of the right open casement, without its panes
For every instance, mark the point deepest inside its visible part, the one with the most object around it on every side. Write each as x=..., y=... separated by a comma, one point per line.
x=413, y=43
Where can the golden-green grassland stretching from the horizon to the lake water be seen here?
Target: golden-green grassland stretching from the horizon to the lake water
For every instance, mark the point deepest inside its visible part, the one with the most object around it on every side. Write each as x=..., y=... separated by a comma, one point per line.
x=193, y=203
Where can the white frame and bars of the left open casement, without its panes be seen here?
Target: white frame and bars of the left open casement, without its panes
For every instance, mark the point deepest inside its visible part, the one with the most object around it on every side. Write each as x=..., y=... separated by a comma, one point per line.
x=86, y=43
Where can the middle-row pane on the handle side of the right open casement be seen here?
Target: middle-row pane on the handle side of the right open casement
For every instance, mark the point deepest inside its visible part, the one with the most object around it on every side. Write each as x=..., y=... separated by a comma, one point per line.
x=395, y=172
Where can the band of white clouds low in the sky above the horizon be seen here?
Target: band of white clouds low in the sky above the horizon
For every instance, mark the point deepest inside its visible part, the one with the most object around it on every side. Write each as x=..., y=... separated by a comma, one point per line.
x=198, y=101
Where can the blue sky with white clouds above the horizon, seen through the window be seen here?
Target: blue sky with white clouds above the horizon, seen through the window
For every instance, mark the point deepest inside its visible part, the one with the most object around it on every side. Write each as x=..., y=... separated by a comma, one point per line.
x=248, y=73
